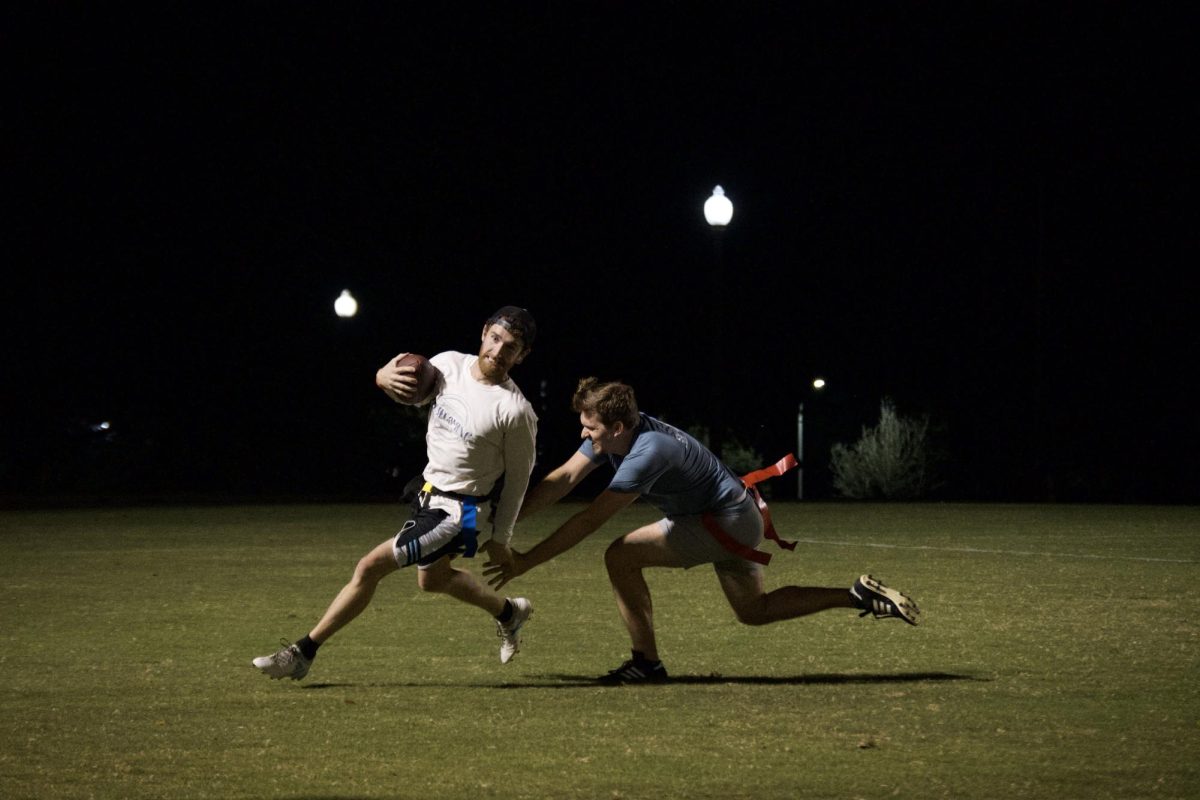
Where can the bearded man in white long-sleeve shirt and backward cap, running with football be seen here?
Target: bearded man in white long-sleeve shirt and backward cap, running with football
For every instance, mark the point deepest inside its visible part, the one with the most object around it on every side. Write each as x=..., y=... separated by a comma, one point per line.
x=481, y=448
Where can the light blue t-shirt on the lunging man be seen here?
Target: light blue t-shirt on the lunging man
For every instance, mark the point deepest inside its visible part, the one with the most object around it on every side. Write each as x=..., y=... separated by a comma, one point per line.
x=671, y=471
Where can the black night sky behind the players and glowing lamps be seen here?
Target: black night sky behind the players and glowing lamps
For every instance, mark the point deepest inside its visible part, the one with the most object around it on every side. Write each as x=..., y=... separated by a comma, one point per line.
x=979, y=210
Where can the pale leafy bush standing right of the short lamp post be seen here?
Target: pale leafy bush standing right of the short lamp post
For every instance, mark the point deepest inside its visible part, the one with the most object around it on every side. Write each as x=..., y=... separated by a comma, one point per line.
x=893, y=461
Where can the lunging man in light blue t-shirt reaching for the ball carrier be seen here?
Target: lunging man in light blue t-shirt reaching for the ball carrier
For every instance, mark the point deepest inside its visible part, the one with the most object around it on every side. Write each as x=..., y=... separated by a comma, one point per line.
x=711, y=518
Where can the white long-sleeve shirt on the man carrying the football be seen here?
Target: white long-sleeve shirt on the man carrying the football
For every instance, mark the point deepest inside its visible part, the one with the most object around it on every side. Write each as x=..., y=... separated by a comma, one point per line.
x=477, y=434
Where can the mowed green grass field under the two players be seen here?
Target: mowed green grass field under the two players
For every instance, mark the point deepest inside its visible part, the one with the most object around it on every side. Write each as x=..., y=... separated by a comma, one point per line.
x=1058, y=658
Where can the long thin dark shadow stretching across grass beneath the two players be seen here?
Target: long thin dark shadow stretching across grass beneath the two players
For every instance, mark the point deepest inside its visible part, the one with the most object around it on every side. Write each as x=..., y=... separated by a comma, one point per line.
x=561, y=681
